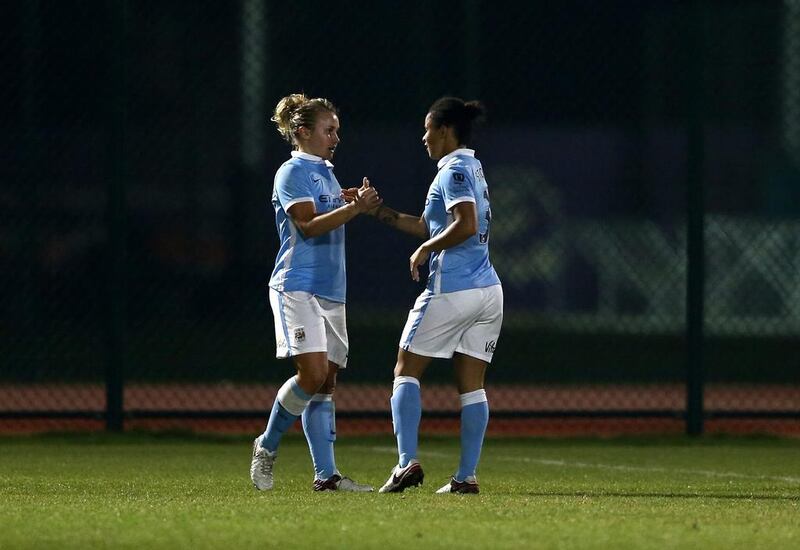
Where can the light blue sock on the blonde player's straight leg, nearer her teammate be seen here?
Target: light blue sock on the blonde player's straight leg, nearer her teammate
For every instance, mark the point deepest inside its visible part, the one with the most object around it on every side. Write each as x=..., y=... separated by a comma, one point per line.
x=319, y=425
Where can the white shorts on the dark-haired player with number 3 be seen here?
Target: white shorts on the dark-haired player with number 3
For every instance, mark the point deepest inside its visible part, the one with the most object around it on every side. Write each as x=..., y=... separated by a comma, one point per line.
x=467, y=321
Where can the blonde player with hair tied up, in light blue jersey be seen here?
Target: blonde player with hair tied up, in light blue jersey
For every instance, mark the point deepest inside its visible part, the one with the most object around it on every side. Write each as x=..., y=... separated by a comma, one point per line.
x=307, y=287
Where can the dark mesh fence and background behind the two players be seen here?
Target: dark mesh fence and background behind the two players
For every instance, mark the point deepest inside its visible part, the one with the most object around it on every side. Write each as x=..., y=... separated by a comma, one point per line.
x=631, y=147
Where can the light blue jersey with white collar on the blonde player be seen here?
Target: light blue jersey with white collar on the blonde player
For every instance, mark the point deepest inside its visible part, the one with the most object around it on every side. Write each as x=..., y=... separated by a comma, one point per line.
x=315, y=265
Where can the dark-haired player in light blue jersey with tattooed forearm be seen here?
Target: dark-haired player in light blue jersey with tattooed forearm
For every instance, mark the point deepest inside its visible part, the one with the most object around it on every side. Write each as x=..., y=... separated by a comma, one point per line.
x=460, y=312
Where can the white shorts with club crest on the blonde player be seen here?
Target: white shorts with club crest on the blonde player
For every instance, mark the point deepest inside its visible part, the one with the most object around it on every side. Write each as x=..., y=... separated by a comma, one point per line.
x=305, y=323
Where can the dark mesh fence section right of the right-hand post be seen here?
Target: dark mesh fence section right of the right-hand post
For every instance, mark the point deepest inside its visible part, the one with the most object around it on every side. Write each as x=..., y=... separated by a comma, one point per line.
x=751, y=230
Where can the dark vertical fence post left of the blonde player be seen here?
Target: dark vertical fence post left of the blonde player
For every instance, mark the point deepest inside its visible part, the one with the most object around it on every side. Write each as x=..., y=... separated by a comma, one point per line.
x=116, y=289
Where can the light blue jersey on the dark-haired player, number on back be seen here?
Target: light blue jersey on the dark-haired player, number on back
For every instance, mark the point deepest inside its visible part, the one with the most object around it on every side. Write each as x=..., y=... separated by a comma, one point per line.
x=467, y=265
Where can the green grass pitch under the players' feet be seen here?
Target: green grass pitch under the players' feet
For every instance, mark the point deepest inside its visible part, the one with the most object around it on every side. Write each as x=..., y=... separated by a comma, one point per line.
x=140, y=491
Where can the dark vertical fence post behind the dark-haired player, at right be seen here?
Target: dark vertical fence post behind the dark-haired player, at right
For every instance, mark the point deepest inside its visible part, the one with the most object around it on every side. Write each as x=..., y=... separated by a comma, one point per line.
x=695, y=244
